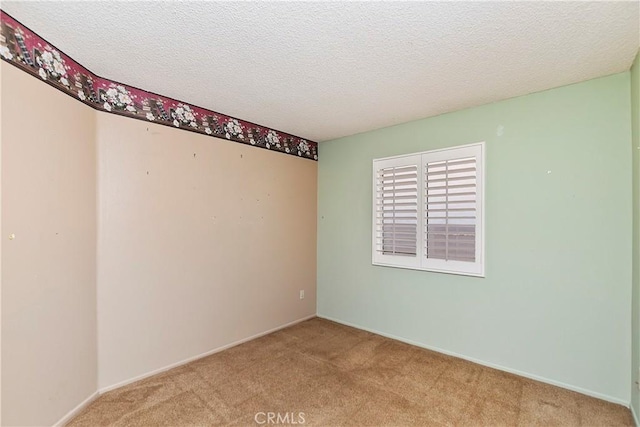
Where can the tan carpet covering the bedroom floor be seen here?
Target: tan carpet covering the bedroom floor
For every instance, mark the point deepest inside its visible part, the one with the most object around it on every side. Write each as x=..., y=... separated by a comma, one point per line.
x=327, y=374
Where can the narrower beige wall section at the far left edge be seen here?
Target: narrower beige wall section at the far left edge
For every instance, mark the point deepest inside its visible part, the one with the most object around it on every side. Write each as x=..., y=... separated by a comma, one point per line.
x=49, y=270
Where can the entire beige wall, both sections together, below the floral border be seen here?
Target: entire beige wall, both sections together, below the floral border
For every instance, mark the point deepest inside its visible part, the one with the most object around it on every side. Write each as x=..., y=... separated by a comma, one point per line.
x=196, y=243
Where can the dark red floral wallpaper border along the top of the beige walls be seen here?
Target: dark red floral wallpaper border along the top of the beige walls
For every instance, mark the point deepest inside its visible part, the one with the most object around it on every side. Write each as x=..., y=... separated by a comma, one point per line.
x=26, y=50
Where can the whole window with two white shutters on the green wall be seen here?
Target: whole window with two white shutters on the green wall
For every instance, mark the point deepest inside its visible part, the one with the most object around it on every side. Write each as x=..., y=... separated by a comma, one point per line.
x=428, y=211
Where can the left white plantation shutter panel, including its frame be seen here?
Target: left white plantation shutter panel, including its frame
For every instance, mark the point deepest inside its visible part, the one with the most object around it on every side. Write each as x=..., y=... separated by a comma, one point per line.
x=397, y=211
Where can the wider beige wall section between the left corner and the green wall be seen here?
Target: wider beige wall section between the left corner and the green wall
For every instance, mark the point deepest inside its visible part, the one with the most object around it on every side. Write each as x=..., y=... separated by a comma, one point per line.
x=202, y=243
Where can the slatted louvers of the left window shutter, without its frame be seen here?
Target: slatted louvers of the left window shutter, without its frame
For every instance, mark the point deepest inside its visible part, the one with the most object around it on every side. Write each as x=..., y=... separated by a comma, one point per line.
x=396, y=215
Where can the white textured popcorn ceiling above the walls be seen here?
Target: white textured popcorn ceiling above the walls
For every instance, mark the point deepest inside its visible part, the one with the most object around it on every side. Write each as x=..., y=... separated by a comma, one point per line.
x=322, y=70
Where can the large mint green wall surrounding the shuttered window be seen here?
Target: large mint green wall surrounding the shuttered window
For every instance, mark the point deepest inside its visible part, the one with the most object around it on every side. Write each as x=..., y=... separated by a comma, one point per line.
x=555, y=300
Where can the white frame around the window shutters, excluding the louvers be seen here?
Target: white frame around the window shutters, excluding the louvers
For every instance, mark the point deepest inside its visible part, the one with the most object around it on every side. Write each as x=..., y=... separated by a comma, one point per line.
x=420, y=262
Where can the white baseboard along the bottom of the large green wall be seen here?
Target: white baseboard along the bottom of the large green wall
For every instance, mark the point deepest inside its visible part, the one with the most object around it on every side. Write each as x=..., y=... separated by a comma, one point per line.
x=488, y=364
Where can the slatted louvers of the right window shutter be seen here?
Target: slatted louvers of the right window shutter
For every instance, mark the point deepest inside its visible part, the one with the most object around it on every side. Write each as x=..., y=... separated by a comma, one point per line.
x=450, y=210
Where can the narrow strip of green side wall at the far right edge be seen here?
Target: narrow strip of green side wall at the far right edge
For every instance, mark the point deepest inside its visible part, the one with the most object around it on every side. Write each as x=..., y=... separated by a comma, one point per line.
x=635, y=153
